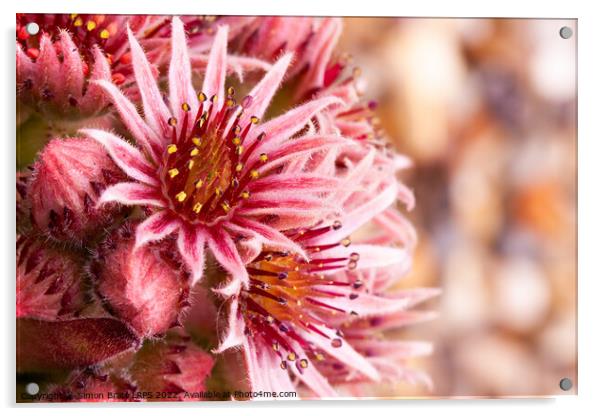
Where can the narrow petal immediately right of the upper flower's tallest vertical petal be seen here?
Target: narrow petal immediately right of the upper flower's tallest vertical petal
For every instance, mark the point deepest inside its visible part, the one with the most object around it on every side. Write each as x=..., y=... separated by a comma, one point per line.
x=215, y=76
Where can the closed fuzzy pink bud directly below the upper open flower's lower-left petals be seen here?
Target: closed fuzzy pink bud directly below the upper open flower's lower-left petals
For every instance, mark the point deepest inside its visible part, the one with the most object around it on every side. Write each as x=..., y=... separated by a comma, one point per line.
x=145, y=288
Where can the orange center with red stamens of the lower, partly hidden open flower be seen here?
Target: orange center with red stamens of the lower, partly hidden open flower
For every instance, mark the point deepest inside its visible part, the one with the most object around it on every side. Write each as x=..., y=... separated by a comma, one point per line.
x=289, y=295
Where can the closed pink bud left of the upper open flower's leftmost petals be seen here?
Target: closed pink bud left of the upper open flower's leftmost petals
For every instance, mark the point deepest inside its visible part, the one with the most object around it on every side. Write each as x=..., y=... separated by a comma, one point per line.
x=67, y=180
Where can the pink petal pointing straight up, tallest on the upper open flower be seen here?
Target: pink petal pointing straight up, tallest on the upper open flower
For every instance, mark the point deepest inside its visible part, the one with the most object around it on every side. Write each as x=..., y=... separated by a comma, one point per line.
x=180, y=84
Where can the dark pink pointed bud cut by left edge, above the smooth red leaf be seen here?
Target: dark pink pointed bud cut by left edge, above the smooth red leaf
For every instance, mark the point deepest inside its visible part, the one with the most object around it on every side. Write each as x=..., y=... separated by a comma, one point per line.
x=49, y=284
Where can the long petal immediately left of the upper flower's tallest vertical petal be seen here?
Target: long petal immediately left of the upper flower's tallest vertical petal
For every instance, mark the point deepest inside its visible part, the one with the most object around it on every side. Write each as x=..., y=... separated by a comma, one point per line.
x=155, y=110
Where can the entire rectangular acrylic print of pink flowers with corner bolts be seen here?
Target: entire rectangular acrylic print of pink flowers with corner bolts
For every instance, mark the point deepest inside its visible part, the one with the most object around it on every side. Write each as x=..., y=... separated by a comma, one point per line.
x=235, y=208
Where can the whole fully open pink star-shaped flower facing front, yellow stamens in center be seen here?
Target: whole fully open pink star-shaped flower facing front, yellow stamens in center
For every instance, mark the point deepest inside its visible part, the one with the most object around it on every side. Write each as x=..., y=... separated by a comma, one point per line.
x=207, y=167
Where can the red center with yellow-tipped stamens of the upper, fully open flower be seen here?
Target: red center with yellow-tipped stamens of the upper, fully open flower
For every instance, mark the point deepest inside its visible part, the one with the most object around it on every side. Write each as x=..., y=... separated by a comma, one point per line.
x=205, y=174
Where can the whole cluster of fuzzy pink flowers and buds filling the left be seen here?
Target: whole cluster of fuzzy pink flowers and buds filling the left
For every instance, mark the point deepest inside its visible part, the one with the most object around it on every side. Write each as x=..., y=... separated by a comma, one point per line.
x=172, y=221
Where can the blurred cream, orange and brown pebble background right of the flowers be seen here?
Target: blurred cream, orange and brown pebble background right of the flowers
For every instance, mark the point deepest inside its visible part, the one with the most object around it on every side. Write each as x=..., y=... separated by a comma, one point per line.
x=486, y=108
